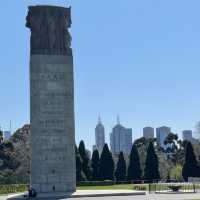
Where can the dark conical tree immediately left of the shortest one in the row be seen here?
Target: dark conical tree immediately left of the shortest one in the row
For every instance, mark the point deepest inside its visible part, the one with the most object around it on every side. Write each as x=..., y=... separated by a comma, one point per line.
x=106, y=168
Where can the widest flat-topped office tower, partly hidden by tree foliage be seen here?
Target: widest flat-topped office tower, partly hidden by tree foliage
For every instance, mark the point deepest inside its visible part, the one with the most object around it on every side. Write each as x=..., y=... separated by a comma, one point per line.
x=161, y=134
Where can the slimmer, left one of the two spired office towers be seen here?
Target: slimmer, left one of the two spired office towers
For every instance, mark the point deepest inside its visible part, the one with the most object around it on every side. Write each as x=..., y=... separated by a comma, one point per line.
x=100, y=135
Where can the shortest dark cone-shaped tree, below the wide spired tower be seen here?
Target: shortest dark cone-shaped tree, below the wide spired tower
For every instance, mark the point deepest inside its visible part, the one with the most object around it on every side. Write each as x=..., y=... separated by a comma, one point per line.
x=120, y=172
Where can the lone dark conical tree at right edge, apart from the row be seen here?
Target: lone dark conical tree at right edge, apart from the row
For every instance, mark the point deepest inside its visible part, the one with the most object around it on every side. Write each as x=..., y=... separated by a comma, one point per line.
x=190, y=167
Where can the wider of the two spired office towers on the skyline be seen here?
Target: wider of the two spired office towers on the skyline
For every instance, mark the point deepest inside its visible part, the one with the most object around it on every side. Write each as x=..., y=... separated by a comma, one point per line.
x=121, y=139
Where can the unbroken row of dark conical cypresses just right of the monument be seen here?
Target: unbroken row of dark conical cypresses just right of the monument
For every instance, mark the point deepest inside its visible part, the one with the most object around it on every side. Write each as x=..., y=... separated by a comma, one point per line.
x=102, y=167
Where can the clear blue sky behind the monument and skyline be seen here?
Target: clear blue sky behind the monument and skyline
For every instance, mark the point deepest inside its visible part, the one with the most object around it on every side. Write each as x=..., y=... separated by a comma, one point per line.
x=139, y=59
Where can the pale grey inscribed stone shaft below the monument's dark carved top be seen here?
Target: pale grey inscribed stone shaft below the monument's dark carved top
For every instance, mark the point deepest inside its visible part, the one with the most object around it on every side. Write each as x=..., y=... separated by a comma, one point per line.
x=52, y=124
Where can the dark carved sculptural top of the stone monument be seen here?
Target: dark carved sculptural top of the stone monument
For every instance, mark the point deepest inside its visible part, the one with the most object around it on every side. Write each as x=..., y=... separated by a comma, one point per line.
x=49, y=30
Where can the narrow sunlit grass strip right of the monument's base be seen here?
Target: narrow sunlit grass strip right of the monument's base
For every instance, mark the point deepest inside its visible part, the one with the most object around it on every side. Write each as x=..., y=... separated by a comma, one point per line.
x=113, y=187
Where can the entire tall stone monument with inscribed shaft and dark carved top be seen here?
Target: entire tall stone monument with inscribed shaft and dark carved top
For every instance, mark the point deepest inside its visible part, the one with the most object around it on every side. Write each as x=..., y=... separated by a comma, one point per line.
x=53, y=168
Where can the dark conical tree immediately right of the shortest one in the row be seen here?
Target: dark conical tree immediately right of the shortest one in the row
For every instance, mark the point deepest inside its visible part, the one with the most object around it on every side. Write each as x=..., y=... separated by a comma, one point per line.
x=134, y=169
